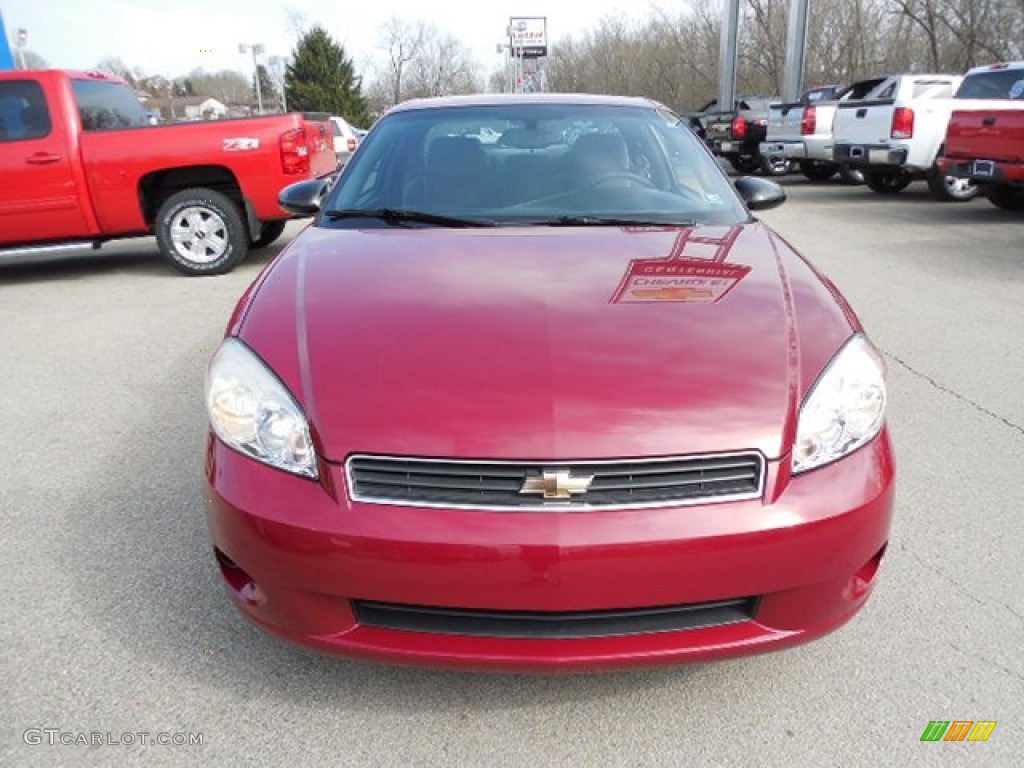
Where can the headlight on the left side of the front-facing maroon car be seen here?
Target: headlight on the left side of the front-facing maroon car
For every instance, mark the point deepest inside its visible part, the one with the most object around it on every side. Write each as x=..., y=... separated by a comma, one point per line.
x=253, y=412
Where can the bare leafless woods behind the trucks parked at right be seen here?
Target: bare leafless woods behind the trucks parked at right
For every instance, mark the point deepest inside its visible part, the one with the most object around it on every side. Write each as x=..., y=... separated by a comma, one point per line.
x=673, y=57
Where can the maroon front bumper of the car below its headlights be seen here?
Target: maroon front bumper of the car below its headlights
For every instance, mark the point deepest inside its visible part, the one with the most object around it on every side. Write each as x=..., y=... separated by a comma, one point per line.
x=300, y=560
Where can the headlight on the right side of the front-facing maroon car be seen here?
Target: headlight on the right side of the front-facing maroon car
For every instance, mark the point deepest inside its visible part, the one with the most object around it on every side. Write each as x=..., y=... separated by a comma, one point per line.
x=845, y=408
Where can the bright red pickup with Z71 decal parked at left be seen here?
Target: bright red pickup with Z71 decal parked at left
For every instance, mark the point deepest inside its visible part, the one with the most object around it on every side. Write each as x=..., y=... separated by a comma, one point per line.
x=81, y=164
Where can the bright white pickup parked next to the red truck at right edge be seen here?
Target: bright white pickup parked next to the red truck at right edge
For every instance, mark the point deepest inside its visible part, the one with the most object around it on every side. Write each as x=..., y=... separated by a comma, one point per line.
x=897, y=133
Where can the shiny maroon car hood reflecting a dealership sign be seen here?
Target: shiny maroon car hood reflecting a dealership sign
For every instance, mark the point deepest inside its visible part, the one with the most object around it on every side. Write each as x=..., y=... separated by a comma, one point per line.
x=546, y=344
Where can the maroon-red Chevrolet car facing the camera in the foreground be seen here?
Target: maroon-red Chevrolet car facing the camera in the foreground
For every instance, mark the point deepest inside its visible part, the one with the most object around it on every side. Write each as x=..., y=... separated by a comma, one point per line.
x=551, y=402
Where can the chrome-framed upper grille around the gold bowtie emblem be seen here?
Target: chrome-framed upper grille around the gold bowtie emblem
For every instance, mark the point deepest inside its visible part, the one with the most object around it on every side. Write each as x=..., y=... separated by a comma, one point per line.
x=493, y=485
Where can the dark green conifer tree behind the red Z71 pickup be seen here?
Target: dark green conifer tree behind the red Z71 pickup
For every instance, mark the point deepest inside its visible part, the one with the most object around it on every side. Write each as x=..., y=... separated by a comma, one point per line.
x=321, y=78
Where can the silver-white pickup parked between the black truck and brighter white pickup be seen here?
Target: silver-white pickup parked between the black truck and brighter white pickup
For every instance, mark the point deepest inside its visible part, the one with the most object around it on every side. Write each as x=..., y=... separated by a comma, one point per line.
x=802, y=132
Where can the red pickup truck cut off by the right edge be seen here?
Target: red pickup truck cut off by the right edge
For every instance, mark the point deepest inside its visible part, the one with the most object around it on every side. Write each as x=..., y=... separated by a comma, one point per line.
x=987, y=143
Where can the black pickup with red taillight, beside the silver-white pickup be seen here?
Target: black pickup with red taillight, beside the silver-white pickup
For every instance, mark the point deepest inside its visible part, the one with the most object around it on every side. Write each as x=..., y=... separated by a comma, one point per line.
x=737, y=136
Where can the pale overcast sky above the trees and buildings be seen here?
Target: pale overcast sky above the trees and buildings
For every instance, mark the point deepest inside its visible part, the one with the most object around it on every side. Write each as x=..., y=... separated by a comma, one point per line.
x=173, y=37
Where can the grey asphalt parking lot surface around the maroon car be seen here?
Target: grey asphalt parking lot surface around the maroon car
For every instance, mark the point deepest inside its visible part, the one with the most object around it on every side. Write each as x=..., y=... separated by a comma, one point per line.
x=116, y=622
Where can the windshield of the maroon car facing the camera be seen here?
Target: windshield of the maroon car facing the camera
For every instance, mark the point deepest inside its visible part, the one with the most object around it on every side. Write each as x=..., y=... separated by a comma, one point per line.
x=522, y=164
